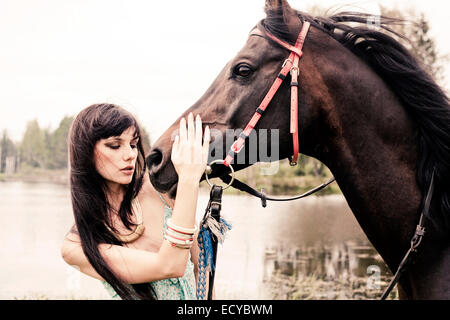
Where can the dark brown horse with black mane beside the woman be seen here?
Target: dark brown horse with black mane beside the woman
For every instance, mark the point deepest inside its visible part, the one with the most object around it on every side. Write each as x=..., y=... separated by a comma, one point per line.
x=367, y=110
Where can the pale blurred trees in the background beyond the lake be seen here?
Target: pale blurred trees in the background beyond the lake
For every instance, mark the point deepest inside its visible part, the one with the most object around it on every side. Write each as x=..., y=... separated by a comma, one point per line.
x=43, y=148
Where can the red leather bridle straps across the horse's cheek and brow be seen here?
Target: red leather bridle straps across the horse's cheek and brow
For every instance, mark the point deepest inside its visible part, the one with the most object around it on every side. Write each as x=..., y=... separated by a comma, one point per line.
x=290, y=64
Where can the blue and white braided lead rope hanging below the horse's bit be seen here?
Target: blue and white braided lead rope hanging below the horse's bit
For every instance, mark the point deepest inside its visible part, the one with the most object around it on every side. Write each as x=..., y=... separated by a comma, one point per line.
x=212, y=231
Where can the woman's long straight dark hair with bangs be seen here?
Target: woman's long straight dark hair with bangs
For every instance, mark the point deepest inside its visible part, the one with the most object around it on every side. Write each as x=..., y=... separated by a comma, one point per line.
x=88, y=189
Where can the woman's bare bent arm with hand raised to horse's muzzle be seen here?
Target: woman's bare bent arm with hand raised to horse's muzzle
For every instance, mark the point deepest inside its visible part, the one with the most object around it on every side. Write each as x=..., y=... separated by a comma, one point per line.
x=139, y=266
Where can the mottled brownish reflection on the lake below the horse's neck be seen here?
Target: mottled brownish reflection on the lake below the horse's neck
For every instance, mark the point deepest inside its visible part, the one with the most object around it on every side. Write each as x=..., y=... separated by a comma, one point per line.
x=349, y=270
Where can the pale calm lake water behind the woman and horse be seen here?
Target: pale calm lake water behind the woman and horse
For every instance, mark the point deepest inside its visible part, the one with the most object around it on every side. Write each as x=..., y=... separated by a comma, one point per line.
x=307, y=249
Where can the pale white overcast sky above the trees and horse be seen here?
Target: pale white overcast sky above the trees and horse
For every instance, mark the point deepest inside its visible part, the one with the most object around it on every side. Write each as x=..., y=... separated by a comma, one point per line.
x=155, y=58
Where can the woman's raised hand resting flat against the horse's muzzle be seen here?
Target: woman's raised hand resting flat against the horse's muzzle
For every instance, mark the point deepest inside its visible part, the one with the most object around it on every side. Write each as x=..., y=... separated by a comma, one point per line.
x=189, y=155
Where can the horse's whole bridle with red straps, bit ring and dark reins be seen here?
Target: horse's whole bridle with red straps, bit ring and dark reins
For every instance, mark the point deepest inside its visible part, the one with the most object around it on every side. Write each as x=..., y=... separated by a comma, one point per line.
x=291, y=65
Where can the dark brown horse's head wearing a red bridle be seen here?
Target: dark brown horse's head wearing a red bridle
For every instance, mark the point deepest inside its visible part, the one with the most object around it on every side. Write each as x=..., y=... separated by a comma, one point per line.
x=231, y=100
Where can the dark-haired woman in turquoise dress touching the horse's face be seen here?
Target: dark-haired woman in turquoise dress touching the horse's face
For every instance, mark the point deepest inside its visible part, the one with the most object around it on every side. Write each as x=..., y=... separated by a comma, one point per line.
x=126, y=233
